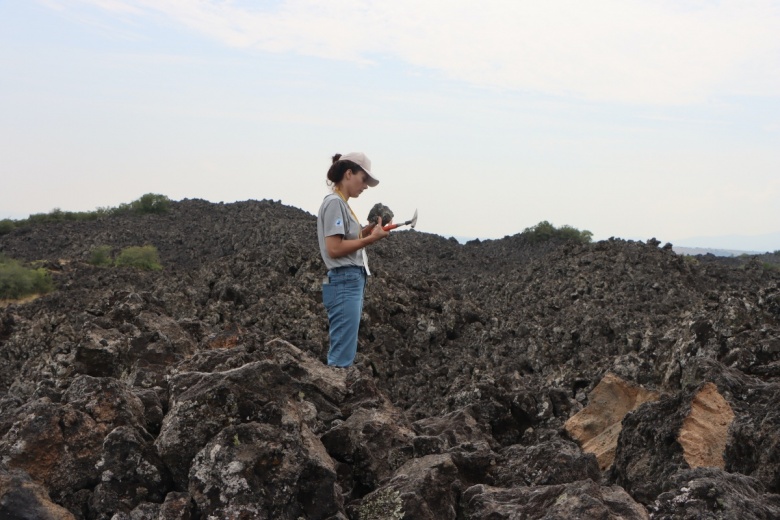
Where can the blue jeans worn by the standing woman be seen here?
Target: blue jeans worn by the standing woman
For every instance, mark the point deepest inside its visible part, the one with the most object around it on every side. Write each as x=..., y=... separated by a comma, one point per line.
x=343, y=299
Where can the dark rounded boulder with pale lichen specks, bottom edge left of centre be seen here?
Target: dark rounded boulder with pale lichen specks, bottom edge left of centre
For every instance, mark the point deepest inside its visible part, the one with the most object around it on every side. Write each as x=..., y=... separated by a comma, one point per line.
x=255, y=470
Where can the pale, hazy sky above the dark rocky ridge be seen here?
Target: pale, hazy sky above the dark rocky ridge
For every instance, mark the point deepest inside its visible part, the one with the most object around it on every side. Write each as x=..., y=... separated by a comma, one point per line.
x=635, y=119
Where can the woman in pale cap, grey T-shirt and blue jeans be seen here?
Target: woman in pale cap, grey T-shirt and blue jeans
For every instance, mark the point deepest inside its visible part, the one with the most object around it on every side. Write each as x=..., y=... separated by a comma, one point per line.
x=342, y=242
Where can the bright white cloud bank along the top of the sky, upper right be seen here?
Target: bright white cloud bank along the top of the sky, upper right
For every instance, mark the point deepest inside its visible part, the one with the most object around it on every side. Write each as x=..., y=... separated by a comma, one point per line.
x=632, y=51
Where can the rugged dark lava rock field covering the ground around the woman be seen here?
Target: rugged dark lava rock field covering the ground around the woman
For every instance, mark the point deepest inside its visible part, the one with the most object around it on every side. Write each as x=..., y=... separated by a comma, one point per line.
x=484, y=373
